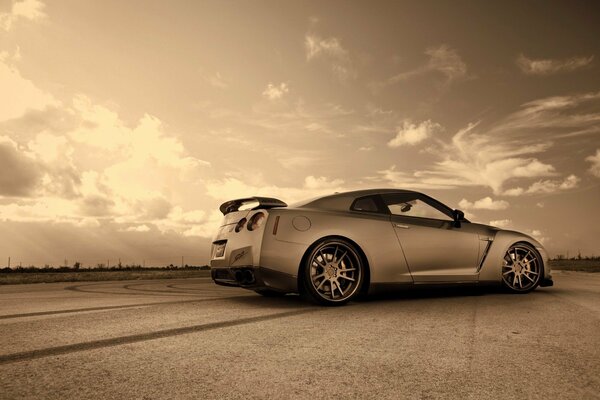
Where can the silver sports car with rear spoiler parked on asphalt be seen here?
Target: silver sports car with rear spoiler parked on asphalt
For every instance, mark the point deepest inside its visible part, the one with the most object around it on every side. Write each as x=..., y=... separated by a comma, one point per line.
x=335, y=247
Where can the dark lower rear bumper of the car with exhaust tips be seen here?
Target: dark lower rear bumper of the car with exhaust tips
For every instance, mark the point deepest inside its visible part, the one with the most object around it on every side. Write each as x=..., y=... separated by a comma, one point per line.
x=255, y=277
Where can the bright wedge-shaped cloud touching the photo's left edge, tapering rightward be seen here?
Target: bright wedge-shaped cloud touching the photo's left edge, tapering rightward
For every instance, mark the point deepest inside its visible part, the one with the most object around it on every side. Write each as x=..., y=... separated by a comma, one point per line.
x=24, y=95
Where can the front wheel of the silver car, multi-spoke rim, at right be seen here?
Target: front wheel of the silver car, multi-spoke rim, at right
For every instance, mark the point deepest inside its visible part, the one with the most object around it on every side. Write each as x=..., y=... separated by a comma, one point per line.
x=522, y=268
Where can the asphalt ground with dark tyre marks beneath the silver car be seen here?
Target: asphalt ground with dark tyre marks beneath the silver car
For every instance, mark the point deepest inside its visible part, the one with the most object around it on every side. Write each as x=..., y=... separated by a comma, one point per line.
x=191, y=339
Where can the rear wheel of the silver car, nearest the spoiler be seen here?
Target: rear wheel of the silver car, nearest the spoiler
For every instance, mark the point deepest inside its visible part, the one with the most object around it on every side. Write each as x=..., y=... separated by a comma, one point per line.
x=333, y=273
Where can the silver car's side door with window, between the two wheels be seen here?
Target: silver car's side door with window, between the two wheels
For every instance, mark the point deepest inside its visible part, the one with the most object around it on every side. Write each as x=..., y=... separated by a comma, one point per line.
x=435, y=249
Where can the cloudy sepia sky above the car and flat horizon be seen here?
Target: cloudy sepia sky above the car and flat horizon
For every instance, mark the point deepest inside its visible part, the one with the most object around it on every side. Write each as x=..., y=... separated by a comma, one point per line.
x=124, y=125
